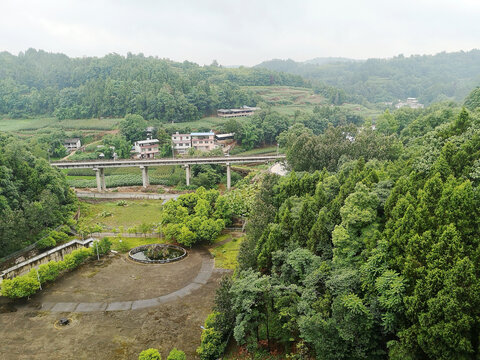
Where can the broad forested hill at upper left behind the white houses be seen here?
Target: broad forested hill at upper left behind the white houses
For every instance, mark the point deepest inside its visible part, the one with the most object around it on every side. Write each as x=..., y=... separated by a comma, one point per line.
x=40, y=83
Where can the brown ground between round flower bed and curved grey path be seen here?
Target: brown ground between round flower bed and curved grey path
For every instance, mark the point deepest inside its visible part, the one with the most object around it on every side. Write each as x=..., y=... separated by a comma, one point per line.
x=120, y=279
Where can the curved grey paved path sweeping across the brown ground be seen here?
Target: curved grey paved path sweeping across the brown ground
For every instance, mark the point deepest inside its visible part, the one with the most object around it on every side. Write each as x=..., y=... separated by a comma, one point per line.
x=202, y=278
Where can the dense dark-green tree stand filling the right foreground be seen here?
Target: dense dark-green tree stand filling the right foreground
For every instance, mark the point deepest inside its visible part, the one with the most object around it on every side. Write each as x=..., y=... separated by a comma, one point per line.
x=363, y=253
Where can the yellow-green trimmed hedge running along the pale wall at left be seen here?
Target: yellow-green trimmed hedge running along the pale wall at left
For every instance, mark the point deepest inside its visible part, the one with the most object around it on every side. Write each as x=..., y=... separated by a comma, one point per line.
x=28, y=284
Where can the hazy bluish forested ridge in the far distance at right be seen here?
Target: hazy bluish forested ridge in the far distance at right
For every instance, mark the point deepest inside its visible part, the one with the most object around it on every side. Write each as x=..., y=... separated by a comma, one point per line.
x=430, y=78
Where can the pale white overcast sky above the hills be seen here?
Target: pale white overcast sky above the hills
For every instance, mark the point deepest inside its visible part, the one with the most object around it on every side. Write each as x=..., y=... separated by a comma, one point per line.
x=242, y=32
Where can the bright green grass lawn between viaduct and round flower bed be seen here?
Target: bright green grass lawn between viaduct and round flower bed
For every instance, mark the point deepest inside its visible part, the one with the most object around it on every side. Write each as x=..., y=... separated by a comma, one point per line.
x=110, y=215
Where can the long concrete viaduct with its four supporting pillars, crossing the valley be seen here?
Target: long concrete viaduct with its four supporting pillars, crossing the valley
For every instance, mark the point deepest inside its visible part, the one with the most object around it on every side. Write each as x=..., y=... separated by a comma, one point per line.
x=99, y=165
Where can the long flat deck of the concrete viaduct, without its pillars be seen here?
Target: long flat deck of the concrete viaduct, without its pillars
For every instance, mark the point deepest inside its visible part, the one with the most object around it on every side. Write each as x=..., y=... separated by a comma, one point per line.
x=162, y=162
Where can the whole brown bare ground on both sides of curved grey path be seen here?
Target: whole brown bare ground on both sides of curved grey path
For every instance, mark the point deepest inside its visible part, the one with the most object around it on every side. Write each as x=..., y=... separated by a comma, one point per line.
x=30, y=333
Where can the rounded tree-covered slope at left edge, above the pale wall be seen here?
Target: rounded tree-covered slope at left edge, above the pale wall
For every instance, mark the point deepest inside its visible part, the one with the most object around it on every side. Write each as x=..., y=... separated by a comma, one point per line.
x=34, y=197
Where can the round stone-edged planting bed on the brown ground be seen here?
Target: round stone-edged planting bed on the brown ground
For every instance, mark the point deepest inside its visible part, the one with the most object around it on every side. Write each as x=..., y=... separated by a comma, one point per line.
x=157, y=253
